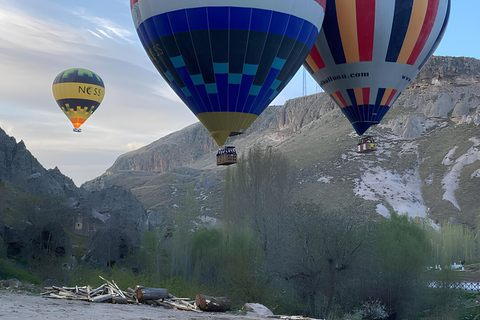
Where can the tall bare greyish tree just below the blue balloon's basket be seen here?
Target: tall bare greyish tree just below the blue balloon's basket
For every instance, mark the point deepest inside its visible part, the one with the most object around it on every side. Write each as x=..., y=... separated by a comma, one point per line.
x=258, y=190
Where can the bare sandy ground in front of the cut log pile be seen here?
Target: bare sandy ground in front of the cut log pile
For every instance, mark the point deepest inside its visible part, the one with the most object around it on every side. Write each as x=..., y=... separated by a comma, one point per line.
x=14, y=305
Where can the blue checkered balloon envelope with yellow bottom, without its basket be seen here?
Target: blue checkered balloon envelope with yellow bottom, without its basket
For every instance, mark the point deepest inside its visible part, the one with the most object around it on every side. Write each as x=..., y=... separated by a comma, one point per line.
x=227, y=60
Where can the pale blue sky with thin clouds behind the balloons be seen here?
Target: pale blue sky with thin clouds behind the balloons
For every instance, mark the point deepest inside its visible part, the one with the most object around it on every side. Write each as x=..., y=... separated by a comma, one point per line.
x=39, y=39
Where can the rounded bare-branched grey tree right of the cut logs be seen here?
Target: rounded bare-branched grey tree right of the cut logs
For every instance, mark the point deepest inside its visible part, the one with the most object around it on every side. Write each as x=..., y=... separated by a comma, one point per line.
x=323, y=244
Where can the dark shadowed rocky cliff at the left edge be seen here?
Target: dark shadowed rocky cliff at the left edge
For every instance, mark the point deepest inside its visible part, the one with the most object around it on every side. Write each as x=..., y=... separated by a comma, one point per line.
x=36, y=201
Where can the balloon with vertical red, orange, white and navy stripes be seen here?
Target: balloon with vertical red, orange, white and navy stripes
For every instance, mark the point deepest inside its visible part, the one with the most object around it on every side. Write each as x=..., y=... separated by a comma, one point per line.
x=368, y=51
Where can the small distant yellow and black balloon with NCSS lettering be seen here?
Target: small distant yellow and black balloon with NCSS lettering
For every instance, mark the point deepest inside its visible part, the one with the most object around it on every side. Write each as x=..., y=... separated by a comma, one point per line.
x=78, y=93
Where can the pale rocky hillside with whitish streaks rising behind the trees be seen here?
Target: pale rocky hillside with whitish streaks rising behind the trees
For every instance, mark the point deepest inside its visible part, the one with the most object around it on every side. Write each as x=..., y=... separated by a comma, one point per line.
x=426, y=164
